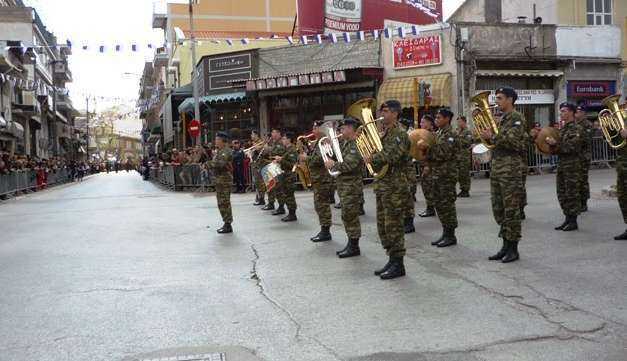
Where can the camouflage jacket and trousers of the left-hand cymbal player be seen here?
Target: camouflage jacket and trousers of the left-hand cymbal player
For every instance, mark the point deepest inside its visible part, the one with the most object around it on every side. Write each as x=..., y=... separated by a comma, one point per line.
x=441, y=157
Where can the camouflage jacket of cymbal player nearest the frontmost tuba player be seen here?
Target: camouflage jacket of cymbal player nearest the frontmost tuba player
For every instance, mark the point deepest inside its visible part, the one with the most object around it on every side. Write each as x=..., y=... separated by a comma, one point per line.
x=443, y=153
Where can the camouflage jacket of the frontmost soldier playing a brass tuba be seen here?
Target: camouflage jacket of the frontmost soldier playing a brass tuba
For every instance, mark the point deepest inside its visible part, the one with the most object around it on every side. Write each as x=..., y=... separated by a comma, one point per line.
x=395, y=154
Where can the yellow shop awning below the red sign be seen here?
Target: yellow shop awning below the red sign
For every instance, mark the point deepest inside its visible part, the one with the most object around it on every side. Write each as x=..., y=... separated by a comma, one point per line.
x=405, y=90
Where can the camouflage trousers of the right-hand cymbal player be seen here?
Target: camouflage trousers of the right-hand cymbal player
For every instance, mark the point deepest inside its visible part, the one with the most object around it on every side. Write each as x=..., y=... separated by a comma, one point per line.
x=568, y=184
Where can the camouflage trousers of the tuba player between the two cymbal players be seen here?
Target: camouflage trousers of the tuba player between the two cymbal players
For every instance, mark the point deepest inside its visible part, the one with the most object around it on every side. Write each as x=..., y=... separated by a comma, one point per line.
x=507, y=193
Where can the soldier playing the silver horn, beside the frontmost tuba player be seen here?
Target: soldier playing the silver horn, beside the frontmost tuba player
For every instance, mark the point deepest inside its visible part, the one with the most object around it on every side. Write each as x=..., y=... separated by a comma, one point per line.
x=349, y=186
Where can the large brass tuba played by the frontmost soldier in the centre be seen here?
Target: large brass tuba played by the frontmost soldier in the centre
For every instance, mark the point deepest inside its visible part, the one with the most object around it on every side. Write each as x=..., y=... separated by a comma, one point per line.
x=368, y=137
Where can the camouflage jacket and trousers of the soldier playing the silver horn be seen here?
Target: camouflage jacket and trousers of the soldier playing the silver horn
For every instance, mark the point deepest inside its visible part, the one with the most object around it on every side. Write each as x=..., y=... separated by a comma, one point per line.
x=350, y=186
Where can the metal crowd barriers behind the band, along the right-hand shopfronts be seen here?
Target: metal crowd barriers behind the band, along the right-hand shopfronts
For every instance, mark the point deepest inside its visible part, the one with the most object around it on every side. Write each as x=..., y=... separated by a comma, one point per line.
x=181, y=177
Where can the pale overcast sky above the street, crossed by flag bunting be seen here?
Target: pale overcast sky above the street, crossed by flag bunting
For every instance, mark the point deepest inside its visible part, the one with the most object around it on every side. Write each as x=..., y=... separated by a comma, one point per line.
x=110, y=22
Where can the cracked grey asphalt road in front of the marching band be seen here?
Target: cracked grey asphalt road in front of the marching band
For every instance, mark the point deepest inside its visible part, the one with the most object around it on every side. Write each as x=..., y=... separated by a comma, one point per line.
x=115, y=267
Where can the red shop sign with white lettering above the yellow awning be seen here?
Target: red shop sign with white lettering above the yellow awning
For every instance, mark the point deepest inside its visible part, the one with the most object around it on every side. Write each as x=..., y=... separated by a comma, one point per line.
x=418, y=51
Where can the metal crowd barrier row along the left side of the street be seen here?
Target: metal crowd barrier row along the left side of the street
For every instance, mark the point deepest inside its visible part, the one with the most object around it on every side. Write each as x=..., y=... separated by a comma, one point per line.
x=19, y=182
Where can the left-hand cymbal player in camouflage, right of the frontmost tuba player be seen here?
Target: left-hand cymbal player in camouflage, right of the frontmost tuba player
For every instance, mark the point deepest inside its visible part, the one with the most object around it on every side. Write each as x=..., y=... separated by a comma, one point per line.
x=442, y=156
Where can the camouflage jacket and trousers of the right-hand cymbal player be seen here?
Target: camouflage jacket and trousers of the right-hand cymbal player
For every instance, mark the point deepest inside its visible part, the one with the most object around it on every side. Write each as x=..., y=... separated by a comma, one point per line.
x=568, y=179
